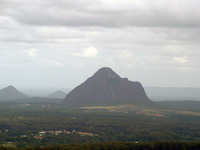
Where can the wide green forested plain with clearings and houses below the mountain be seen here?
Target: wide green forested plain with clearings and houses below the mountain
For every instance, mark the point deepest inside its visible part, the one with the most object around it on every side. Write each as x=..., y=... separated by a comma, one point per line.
x=40, y=125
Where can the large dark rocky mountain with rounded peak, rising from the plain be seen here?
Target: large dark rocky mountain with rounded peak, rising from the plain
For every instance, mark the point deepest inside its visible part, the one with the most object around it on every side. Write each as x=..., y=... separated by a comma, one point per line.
x=105, y=86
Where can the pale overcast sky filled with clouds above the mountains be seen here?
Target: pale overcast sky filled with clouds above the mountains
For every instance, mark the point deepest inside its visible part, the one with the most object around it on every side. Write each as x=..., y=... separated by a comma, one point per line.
x=60, y=43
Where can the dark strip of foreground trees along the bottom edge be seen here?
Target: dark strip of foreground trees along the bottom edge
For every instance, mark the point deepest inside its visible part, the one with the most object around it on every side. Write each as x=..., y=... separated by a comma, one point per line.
x=121, y=146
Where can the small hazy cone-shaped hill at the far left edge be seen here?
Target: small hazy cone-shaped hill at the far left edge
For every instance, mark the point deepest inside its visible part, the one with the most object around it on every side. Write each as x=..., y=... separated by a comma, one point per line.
x=10, y=93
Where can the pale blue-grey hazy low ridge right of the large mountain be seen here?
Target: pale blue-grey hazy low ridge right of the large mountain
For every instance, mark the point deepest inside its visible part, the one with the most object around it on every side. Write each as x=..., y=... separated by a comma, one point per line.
x=172, y=93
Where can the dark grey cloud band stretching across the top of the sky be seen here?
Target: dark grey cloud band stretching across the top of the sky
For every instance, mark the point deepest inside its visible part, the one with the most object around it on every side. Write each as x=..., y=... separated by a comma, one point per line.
x=180, y=13
